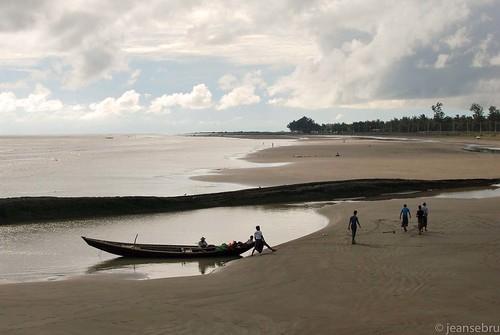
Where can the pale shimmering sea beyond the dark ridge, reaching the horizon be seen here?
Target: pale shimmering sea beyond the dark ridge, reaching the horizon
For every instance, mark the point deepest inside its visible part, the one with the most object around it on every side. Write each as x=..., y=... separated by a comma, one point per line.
x=120, y=165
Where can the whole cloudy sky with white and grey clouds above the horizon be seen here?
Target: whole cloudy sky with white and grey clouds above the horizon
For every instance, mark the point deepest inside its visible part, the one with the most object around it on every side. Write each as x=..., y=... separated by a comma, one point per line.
x=99, y=66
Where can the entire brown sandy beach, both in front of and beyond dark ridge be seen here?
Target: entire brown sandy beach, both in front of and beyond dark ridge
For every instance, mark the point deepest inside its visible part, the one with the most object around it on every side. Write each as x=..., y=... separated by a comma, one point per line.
x=401, y=283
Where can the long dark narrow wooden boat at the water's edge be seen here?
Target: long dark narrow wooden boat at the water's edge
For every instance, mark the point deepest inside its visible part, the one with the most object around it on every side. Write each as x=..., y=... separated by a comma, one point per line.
x=166, y=251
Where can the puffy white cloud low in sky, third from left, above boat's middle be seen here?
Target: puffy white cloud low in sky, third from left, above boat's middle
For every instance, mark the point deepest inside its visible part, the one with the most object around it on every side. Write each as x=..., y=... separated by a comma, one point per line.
x=199, y=98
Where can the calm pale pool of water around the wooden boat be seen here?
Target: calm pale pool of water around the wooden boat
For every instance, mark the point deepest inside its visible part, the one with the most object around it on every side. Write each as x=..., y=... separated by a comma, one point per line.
x=53, y=251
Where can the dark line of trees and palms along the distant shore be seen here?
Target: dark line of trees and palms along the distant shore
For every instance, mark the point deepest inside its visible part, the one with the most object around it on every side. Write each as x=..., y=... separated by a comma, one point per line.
x=479, y=122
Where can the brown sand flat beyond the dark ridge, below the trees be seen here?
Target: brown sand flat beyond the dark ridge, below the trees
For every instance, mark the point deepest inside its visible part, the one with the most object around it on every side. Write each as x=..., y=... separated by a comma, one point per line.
x=315, y=160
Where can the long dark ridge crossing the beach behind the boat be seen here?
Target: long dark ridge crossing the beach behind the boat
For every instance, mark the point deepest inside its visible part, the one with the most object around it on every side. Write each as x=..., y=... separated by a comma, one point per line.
x=36, y=209
